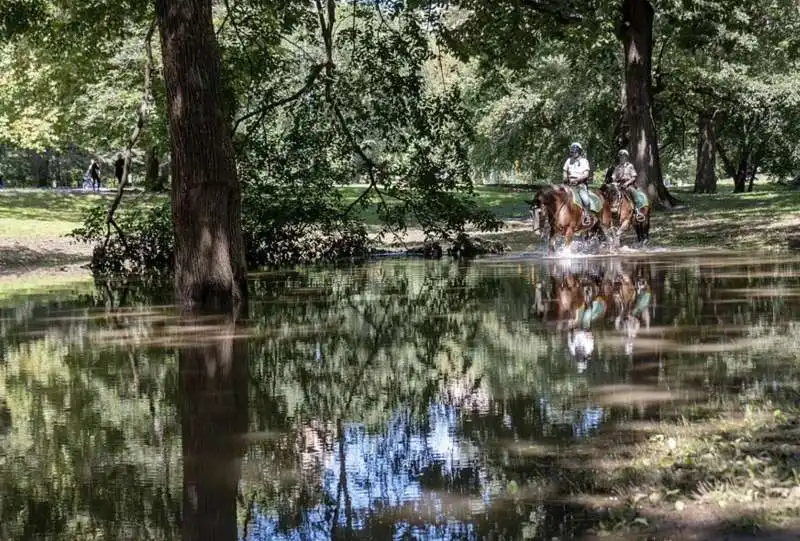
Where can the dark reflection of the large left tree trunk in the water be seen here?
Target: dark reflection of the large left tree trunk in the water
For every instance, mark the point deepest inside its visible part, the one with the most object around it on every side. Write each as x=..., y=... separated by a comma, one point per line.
x=214, y=415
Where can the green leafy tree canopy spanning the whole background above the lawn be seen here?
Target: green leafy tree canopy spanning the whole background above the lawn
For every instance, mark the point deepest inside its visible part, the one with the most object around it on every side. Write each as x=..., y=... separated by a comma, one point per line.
x=415, y=101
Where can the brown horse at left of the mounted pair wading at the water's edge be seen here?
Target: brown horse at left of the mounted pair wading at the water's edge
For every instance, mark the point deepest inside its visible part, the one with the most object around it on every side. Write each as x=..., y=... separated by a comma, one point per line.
x=555, y=212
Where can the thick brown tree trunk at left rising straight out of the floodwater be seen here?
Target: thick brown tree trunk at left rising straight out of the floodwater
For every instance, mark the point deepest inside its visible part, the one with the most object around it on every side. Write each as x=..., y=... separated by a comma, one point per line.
x=210, y=271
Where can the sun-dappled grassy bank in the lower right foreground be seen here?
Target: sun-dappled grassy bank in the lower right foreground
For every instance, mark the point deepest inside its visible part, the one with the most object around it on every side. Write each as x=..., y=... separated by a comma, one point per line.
x=705, y=472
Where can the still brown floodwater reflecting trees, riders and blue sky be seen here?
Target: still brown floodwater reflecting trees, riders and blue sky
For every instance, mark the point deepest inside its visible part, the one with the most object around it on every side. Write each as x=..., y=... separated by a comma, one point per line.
x=395, y=400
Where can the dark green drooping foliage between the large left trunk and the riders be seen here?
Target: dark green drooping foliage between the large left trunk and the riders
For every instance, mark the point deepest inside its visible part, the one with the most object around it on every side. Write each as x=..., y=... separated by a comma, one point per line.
x=374, y=119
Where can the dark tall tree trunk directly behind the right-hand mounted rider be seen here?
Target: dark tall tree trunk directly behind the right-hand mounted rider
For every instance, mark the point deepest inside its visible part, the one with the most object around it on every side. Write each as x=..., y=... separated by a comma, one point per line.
x=636, y=34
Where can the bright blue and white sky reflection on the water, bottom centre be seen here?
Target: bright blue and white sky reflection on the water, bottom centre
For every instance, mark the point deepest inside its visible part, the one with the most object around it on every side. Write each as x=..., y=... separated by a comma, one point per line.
x=387, y=470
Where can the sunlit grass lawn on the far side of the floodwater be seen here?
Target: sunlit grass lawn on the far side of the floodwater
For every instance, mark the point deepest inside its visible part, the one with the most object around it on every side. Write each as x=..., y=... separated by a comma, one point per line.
x=761, y=220
